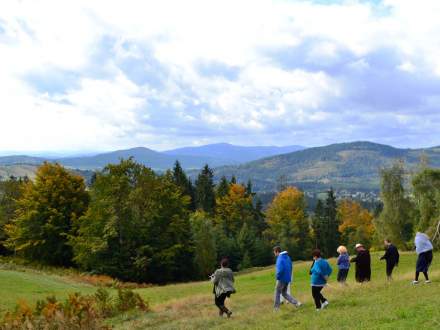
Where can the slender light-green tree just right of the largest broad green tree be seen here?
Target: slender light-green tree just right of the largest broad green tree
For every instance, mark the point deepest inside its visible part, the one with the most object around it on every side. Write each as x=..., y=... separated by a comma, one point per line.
x=205, y=253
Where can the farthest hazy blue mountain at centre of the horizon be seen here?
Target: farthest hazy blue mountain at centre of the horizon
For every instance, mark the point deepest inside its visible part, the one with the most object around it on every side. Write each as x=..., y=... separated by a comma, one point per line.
x=231, y=154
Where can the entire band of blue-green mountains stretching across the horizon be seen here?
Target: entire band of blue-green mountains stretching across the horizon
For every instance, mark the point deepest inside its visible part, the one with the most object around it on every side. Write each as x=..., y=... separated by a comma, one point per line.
x=351, y=166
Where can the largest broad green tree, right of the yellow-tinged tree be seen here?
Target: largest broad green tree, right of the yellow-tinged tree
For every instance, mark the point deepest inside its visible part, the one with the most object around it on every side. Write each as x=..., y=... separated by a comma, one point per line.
x=136, y=228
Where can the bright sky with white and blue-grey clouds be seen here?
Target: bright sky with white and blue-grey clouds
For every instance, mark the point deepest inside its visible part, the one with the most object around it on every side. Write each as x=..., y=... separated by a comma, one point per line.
x=83, y=76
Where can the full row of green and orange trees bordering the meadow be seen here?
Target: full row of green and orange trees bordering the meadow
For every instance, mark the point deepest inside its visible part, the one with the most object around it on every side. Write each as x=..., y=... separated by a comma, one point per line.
x=137, y=225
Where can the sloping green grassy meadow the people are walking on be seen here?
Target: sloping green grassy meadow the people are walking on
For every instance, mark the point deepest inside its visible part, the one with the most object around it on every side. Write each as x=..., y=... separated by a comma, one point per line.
x=376, y=305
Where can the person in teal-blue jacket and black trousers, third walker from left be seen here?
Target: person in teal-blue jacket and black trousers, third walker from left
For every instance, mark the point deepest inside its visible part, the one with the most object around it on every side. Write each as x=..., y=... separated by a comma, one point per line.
x=319, y=272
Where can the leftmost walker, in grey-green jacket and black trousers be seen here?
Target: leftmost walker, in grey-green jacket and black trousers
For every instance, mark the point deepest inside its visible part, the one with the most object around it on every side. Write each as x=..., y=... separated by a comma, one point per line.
x=223, y=279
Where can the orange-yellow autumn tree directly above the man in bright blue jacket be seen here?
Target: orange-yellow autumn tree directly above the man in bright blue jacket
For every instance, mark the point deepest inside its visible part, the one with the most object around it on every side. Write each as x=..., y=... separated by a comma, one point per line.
x=288, y=224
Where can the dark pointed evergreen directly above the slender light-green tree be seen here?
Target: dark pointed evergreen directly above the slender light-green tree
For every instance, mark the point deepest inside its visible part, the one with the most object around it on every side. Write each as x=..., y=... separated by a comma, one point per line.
x=204, y=192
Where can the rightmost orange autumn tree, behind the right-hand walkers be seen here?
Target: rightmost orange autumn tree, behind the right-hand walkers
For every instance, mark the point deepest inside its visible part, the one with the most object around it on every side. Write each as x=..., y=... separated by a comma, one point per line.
x=356, y=224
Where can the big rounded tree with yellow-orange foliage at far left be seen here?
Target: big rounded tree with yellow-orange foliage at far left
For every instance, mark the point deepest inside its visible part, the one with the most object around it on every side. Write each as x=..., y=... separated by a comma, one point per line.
x=46, y=214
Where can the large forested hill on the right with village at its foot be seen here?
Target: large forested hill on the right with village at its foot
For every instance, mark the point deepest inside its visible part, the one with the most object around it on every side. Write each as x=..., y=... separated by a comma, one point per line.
x=342, y=166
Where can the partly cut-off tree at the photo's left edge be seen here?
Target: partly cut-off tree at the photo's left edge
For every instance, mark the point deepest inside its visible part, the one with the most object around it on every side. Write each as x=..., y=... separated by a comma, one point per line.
x=11, y=191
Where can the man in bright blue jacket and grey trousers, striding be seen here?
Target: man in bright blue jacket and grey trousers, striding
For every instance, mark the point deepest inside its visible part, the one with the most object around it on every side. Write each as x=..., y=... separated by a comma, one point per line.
x=283, y=275
